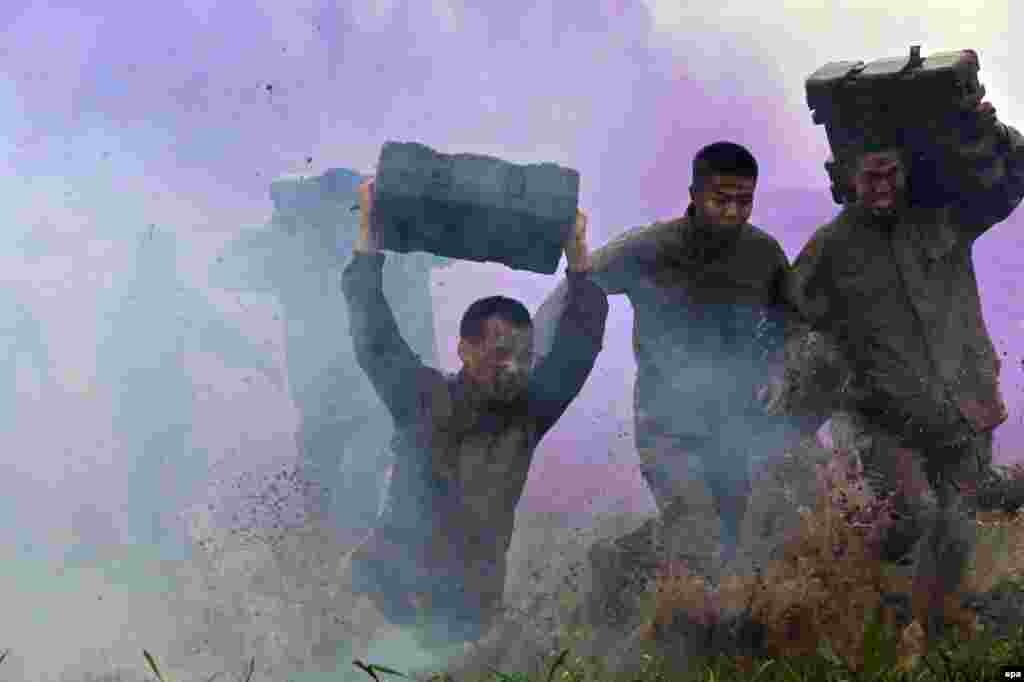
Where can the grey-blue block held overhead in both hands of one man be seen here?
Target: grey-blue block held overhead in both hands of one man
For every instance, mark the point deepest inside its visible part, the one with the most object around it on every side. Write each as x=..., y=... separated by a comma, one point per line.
x=474, y=207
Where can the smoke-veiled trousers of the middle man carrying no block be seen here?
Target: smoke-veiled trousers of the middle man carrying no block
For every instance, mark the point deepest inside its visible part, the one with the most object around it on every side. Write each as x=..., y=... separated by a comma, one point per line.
x=695, y=476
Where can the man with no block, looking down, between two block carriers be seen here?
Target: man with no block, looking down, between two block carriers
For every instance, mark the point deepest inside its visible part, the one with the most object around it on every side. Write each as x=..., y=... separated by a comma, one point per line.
x=706, y=290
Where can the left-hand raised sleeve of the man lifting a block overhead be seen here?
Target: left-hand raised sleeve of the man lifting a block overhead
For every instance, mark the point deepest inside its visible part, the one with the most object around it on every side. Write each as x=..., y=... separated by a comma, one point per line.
x=380, y=351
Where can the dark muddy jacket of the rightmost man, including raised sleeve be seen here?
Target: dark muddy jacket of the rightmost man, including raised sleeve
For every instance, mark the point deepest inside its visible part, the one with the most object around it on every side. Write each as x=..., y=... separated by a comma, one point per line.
x=899, y=306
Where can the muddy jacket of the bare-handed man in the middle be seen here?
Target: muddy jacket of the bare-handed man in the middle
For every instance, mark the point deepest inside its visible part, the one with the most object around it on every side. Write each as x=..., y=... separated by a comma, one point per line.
x=705, y=321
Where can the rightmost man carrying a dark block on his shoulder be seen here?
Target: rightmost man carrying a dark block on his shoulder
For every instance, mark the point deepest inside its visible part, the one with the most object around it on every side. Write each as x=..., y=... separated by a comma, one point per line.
x=888, y=290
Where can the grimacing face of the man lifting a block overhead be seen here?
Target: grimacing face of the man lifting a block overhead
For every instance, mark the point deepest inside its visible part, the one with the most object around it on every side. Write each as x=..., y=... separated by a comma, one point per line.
x=500, y=362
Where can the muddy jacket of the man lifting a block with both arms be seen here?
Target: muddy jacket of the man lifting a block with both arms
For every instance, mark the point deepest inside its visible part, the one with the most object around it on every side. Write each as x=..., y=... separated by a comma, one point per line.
x=460, y=471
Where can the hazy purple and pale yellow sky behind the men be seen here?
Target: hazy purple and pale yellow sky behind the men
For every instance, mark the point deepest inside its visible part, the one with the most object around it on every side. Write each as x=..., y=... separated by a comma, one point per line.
x=116, y=116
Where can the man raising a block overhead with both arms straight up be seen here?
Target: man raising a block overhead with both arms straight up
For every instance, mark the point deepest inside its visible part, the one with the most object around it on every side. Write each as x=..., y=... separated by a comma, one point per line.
x=463, y=444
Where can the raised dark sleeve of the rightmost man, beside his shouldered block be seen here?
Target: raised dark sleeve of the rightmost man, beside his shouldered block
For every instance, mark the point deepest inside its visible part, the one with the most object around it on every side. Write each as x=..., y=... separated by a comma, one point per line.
x=989, y=177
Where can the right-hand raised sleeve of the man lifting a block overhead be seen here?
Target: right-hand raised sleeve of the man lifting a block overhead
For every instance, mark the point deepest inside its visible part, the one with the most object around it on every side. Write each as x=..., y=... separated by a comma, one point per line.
x=579, y=334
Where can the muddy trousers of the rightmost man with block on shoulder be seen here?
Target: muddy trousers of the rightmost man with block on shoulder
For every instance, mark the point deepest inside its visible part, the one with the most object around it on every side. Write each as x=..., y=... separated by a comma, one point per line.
x=933, y=524
